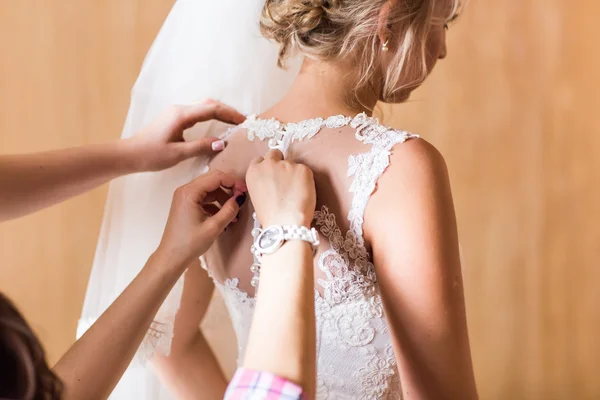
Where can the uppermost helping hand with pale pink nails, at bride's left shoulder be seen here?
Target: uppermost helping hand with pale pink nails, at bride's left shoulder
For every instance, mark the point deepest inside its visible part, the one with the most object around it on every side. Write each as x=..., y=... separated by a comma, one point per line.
x=160, y=145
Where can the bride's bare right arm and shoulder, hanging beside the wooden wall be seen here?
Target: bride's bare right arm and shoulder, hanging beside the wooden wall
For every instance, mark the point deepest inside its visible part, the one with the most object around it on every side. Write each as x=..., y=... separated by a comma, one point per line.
x=412, y=227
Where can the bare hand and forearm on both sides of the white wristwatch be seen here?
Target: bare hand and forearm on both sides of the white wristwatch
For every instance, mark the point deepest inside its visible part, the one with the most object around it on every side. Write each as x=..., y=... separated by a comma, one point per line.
x=283, y=193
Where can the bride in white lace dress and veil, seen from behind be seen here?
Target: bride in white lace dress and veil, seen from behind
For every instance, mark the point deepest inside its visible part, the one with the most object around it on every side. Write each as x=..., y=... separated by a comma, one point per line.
x=391, y=319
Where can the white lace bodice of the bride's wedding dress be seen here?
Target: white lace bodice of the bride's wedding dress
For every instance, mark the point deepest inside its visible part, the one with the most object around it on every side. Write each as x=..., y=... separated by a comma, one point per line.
x=355, y=358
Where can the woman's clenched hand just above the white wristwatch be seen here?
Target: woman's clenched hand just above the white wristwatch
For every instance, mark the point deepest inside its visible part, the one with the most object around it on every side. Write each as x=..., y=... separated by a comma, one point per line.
x=282, y=192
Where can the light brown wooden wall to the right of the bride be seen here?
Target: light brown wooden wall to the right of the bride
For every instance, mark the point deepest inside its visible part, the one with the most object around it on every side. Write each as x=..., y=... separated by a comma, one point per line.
x=514, y=110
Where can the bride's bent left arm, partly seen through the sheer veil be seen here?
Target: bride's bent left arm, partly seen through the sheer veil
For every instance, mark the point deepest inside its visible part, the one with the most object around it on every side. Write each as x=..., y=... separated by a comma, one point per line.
x=191, y=371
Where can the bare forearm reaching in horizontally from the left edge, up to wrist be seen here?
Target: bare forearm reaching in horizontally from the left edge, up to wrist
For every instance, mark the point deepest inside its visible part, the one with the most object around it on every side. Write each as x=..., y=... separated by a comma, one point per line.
x=31, y=182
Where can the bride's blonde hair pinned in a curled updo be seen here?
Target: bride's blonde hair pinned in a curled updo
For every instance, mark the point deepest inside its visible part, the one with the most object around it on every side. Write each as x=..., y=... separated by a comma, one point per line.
x=330, y=30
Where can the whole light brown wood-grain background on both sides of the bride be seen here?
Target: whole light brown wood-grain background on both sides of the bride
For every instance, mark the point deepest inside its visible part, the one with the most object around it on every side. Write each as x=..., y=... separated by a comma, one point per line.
x=514, y=109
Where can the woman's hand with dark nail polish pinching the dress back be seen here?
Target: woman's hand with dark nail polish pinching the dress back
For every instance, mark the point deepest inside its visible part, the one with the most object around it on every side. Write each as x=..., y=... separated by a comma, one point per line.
x=195, y=221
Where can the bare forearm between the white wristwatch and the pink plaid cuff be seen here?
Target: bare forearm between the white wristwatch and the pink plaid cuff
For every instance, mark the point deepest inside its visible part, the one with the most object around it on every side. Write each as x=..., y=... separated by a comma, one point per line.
x=282, y=337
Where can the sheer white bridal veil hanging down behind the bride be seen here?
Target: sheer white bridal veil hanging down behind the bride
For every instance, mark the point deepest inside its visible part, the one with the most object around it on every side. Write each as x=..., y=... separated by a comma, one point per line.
x=205, y=49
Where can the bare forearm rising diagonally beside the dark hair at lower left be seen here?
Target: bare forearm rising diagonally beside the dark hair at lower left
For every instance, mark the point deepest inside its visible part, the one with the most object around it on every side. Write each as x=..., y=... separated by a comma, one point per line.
x=96, y=362
